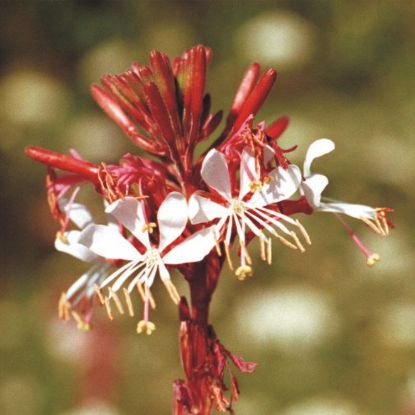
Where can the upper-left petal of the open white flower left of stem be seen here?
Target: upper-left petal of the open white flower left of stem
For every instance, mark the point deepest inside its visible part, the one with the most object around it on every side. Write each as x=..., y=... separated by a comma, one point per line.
x=129, y=212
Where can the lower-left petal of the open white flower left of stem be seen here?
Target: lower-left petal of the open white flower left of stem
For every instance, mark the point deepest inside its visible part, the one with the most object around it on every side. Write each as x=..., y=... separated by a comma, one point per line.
x=108, y=243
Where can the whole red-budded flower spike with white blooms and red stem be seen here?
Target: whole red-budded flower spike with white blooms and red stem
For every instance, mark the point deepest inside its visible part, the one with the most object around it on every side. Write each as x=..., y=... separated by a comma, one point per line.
x=178, y=211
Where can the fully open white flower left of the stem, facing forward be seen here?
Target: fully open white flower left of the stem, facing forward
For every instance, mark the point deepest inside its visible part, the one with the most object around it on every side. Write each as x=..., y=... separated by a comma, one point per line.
x=149, y=259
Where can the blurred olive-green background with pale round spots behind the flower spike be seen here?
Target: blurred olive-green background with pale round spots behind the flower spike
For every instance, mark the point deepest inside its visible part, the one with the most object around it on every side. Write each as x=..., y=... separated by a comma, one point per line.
x=332, y=337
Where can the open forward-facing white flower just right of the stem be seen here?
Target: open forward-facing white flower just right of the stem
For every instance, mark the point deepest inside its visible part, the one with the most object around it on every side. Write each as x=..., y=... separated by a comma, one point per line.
x=249, y=210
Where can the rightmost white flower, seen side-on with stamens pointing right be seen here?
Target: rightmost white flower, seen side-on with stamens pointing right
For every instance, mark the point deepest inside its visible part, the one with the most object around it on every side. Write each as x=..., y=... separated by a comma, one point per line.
x=314, y=184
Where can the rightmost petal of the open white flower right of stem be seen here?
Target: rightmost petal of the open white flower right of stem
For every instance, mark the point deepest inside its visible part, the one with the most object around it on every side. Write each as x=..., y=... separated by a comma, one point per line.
x=284, y=183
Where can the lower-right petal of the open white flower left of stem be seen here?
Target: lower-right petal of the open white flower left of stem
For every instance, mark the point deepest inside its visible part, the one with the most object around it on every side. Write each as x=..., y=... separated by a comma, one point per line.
x=192, y=249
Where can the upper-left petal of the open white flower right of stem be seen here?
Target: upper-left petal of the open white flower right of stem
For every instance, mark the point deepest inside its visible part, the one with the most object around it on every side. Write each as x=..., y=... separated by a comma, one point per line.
x=215, y=173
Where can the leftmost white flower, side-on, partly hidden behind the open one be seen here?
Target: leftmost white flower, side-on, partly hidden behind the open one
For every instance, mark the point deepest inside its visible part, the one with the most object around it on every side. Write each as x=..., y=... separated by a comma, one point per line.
x=78, y=300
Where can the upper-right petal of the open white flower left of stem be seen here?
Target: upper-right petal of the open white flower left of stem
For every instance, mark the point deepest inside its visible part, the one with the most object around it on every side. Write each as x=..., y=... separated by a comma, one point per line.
x=172, y=218
